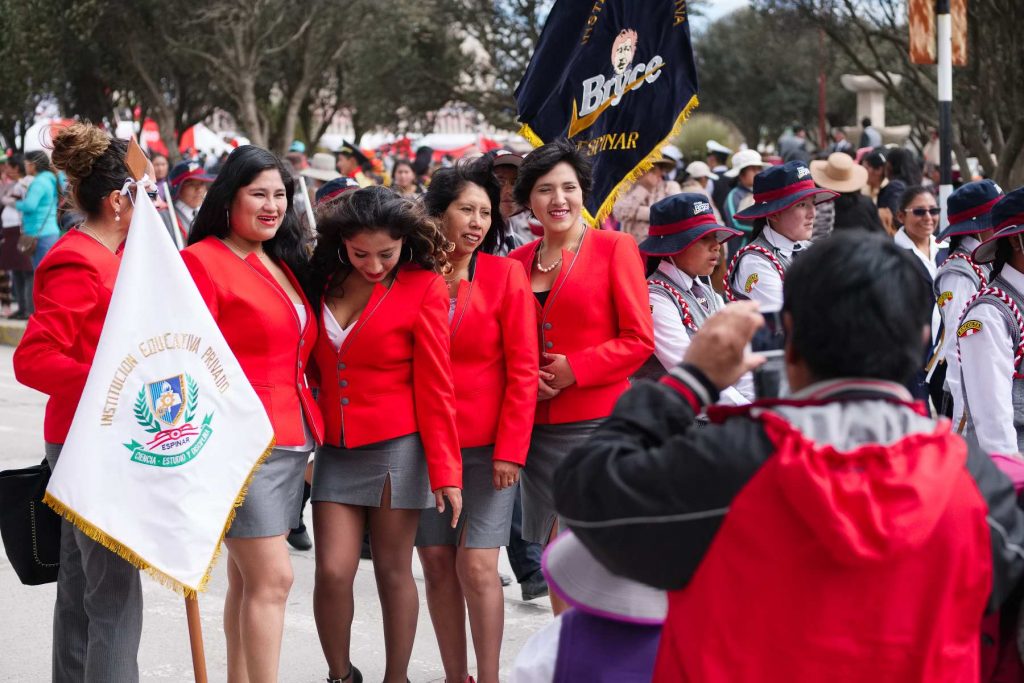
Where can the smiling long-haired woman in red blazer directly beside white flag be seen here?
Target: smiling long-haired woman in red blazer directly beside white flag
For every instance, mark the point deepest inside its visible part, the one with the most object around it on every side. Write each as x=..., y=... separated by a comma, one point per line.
x=244, y=247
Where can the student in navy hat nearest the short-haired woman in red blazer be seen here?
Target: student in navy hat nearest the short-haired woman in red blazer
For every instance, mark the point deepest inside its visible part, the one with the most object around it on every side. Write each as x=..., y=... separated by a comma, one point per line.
x=685, y=246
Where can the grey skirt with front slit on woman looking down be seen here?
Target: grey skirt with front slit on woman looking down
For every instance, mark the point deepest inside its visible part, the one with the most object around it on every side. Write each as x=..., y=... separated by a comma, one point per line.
x=357, y=477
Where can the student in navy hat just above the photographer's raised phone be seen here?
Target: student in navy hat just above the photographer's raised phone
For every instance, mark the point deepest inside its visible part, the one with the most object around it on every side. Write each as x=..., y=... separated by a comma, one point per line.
x=785, y=198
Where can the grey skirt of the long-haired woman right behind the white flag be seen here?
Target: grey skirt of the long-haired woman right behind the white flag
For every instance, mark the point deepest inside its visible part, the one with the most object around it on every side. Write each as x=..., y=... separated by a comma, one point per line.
x=273, y=504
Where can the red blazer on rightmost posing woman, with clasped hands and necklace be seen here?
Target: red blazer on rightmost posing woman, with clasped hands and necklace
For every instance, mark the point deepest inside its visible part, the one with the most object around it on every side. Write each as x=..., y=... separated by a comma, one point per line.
x=599, y=316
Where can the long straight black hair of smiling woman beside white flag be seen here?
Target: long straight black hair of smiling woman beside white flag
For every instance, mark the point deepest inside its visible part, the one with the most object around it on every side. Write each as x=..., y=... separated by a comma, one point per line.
x=290, y=244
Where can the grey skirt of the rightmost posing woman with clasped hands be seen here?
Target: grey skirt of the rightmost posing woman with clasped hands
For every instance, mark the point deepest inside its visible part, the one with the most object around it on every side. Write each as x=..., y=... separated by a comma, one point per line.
x=549, y=445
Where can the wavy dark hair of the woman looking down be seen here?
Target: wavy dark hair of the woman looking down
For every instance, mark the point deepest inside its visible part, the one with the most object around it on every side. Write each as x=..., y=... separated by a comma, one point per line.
x=370, y=210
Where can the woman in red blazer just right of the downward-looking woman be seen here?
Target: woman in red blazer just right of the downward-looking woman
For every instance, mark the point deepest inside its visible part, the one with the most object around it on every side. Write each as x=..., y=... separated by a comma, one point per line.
x=494, y=361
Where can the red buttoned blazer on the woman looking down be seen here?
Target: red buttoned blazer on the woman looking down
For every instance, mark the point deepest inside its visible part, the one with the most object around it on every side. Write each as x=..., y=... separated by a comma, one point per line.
x=393, y=375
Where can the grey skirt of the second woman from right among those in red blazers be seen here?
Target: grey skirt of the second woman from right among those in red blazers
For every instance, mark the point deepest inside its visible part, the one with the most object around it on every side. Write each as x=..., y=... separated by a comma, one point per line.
x=487, y=515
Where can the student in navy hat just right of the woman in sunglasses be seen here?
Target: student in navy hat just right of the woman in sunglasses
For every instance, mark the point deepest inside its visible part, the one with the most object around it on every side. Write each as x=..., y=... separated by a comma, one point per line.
x=959, y=278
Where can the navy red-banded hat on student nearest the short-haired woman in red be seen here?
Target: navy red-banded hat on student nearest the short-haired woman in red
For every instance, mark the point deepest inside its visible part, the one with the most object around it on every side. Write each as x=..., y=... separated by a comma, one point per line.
x=679, y=222
